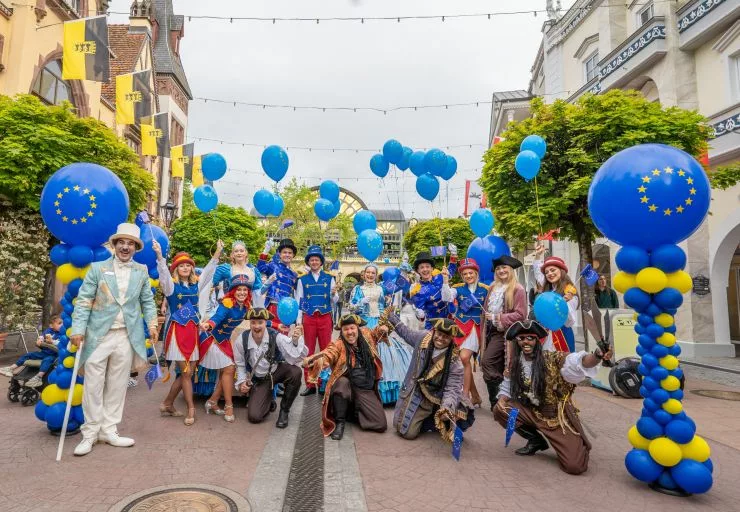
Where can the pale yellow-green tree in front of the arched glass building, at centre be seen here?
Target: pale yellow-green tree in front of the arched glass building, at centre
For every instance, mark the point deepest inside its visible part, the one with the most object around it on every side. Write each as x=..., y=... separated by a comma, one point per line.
x=334, y=236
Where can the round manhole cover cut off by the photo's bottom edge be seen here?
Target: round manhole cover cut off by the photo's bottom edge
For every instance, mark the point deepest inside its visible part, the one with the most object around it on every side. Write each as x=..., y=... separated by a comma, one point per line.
x=184, y=499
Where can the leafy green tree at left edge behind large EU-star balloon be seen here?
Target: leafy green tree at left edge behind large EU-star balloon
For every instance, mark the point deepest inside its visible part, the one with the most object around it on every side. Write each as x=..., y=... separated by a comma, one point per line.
x=36, y=140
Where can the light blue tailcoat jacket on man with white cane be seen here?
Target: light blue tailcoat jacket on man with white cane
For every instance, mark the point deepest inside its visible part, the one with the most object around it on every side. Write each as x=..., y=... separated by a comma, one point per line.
x=97, y=306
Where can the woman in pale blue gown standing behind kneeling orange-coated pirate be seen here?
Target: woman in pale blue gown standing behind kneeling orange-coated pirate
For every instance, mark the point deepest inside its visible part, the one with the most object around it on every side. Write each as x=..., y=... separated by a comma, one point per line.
x=368, y=300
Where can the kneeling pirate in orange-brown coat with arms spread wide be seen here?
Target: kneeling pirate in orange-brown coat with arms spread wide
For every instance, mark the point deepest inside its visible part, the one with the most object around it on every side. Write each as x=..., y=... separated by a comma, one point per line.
x=355, y=371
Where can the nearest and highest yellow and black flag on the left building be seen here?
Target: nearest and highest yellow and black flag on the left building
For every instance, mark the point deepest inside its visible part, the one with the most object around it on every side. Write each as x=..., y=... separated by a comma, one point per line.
x=85, y=54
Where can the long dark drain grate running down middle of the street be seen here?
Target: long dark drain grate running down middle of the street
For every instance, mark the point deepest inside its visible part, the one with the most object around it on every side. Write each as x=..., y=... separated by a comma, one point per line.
x=305, y=489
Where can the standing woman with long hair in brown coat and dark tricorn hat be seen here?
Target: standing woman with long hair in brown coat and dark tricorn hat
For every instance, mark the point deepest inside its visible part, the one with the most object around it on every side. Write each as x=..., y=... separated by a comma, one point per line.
x=505, y=304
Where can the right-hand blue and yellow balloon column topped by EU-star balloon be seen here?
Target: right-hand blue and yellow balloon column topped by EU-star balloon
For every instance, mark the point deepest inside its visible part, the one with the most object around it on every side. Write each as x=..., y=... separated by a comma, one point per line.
x=663, y=197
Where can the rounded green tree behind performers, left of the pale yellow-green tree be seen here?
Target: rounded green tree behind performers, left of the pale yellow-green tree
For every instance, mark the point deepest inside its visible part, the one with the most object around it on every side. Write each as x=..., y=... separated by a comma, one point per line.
x=197, y=232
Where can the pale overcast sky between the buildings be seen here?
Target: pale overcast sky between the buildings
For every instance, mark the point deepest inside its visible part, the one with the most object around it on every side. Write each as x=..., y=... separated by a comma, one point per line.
x=376, y=64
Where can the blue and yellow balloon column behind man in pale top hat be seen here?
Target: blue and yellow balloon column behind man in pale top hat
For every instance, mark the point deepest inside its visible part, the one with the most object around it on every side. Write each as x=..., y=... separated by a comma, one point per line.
x=82, y=205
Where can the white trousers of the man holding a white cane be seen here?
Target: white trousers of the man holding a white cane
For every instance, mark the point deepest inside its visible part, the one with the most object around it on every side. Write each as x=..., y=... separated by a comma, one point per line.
x=106, y=381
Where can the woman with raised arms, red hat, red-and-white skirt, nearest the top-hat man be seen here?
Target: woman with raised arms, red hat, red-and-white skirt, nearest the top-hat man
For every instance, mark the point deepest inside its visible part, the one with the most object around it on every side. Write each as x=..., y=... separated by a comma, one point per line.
x=181, y=289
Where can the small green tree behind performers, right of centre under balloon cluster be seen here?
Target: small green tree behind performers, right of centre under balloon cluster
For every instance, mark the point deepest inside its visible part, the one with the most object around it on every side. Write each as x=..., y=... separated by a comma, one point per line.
x=426, y=234
